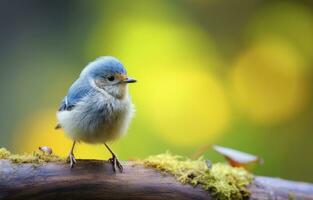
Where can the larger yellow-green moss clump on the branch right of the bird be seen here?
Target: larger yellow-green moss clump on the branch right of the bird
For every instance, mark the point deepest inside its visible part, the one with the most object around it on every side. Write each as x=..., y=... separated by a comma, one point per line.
x=221, y=180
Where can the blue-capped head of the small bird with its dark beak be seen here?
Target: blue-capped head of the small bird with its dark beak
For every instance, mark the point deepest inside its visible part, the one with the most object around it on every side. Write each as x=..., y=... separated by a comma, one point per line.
x=108, y=74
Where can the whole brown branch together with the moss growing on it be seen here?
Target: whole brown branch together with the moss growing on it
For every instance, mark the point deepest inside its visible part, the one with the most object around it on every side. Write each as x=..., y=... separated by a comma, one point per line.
x=223, y=181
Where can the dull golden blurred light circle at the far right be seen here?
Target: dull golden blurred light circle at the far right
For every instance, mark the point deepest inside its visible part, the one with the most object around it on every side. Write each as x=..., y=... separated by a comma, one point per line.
x=268, y=81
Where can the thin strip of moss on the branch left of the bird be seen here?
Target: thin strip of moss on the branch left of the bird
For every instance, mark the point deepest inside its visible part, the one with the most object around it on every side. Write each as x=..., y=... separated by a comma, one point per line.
x=34, y=158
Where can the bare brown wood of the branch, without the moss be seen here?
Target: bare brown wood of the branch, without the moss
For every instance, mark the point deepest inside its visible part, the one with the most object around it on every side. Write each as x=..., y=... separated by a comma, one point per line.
x=94, y=179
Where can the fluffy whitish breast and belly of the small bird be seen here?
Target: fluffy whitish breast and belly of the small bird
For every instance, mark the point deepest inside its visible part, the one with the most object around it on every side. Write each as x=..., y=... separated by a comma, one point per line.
x=97, y=118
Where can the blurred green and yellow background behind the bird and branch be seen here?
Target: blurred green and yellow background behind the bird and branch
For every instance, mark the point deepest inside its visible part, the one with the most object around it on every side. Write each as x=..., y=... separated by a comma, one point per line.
x=233, y=73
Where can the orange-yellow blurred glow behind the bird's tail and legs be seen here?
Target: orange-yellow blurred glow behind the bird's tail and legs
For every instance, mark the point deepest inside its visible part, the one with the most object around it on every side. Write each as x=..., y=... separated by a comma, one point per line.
x=38, y=130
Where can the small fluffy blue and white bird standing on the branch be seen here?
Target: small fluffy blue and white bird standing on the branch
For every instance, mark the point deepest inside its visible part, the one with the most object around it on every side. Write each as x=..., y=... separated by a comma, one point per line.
x=97, y=107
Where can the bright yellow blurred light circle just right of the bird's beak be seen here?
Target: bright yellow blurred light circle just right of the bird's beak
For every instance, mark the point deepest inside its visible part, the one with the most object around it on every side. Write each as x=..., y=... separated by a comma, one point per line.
x=187, y=107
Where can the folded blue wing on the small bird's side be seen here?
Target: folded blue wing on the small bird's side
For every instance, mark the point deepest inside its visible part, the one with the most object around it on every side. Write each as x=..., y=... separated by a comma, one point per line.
x=77, y=91
